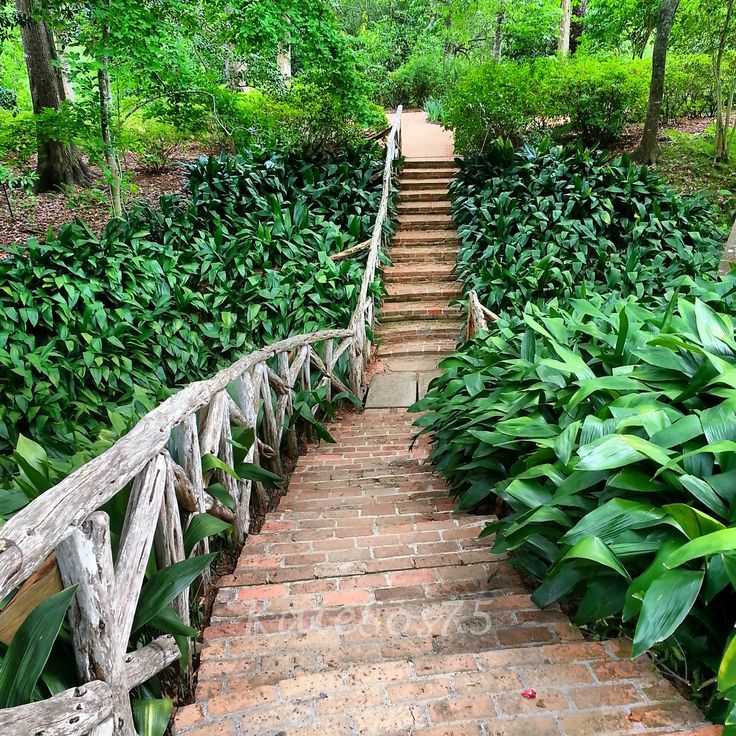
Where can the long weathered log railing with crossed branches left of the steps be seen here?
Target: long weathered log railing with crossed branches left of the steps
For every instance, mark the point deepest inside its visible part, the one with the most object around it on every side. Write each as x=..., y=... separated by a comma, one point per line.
x=161, y=457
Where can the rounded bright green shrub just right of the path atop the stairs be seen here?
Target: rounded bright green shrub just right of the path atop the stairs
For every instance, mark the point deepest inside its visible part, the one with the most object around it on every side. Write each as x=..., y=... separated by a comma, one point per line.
x=491, y=101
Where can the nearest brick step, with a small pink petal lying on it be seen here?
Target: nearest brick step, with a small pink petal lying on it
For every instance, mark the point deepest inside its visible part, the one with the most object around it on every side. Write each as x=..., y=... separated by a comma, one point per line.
x=583, y=689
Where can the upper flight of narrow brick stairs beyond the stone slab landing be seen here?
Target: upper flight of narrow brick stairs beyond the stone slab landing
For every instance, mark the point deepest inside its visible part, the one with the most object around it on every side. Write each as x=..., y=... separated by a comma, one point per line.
x=417, y=324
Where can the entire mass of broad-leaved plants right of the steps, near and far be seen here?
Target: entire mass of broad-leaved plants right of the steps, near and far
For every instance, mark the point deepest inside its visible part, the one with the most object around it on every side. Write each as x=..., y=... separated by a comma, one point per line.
x=596, y=416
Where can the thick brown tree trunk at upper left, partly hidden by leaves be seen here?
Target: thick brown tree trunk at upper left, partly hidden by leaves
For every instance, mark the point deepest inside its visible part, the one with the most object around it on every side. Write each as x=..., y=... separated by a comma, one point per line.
x=58, y=163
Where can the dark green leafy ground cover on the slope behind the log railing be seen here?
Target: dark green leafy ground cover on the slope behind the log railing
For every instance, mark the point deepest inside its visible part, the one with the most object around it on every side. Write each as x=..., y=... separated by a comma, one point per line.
x=168, y=295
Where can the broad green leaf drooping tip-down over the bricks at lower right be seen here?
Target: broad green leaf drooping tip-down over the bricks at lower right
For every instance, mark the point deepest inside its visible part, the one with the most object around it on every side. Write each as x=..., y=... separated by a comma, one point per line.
x=666, y=604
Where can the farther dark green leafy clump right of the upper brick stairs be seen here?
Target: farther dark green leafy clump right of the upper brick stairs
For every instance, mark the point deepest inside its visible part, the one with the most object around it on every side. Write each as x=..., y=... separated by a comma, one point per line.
x=588, y=224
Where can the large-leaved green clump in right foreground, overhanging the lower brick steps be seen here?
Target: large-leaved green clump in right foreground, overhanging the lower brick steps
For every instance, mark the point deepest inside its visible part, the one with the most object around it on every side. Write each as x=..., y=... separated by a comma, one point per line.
x=606, y=431
